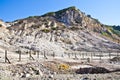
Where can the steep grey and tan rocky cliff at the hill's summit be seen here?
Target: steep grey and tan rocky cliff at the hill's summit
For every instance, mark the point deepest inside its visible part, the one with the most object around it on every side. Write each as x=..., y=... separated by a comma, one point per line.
x=74, y=17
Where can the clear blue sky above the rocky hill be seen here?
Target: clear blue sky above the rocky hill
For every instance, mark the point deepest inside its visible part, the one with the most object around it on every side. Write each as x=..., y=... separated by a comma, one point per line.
x=106, y=11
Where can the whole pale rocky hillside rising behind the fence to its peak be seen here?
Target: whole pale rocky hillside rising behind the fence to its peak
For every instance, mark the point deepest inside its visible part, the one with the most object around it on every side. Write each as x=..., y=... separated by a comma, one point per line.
x=62, y=31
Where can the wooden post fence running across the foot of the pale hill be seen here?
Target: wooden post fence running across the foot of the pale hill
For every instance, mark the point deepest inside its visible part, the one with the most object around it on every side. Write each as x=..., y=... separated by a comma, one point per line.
x=35, y=55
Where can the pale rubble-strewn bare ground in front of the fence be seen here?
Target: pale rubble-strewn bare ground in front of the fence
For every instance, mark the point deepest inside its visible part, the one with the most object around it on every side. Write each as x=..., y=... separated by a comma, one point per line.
x=49, y=69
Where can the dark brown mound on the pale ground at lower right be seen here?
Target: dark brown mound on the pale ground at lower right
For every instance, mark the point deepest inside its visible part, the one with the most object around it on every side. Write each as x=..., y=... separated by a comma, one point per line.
x=92, y=70
